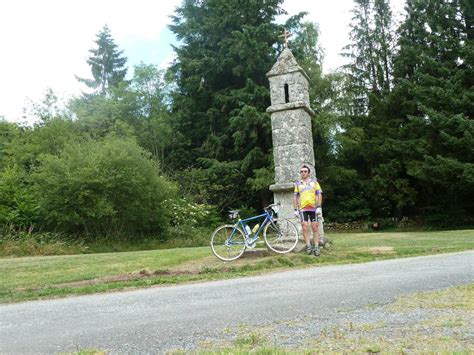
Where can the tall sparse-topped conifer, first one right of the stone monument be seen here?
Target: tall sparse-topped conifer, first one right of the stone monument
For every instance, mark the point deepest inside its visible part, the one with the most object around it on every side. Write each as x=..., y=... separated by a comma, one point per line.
x=364, y=134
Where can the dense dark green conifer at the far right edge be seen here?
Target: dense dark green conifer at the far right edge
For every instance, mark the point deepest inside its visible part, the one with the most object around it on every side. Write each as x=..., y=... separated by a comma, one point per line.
x=432, y=108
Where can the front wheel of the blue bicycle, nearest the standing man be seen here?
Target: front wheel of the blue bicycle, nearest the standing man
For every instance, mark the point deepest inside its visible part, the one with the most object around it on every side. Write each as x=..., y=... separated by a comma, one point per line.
x=281, y=235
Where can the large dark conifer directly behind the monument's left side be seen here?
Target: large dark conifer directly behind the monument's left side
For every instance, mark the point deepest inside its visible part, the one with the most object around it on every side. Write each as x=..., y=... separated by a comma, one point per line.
x=222, y=91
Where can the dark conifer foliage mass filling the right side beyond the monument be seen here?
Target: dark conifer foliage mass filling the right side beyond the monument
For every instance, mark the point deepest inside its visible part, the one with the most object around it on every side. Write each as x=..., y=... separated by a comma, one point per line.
x=410, y=131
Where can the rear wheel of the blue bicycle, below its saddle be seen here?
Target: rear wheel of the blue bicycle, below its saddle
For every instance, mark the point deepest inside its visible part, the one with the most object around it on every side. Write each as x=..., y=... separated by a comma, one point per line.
x=228, y=243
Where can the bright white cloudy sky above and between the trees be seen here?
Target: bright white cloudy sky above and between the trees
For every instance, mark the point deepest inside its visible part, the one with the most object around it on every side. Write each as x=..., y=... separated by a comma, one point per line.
x=44, y=44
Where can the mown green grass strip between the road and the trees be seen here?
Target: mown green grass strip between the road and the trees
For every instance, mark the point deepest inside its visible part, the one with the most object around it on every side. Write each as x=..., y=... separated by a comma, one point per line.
x=29, y=278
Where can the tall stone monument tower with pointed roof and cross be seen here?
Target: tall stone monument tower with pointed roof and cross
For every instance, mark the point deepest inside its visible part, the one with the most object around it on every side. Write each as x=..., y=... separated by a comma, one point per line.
x=291, y=126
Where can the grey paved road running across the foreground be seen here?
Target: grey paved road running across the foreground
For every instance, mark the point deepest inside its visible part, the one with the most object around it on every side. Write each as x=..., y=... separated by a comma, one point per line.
x=162, y=318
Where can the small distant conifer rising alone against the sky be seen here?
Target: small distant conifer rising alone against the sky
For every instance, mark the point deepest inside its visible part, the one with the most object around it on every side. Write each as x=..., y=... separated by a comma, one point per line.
x=107, y=64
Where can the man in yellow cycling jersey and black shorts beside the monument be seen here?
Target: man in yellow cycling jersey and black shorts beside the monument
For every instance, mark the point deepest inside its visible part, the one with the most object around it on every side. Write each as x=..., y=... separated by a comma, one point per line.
x=307, y=203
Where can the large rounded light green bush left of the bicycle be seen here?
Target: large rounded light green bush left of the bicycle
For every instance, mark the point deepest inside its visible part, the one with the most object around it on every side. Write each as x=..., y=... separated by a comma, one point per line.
x=108, y=187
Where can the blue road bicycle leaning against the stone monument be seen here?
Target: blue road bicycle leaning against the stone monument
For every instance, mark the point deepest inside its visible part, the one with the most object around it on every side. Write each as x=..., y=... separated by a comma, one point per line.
x=229, y=241
